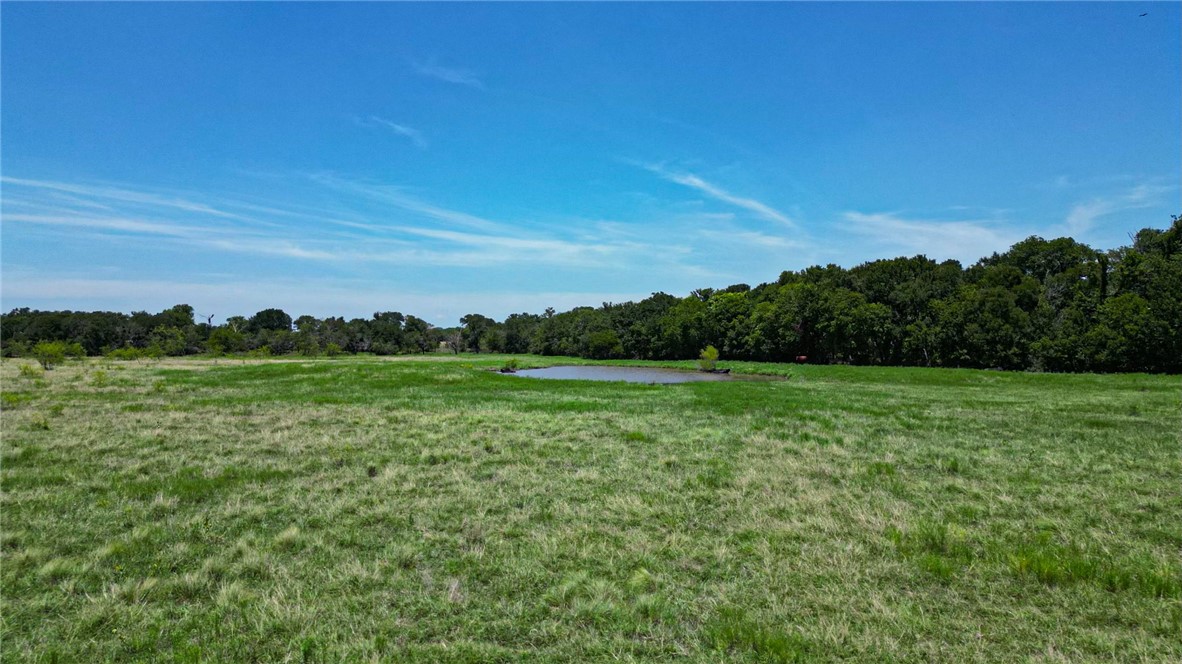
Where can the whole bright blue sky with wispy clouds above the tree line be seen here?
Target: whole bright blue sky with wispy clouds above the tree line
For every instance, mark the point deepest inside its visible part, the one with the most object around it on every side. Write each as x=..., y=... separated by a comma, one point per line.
x=441, y=160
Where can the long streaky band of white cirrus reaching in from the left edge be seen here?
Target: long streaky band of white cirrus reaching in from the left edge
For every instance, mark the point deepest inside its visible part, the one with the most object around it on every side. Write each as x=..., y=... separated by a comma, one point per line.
x=376, y=225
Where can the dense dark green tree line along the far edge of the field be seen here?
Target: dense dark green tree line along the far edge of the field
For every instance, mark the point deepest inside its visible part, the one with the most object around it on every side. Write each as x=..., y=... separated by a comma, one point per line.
x=1051, y=305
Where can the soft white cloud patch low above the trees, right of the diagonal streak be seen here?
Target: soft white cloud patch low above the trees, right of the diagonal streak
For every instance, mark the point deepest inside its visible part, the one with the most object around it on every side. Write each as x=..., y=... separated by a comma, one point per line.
x=965, y=240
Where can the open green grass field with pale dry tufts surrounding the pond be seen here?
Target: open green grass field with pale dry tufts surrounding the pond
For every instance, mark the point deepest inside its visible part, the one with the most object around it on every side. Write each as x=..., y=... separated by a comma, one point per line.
x=425, y=510
